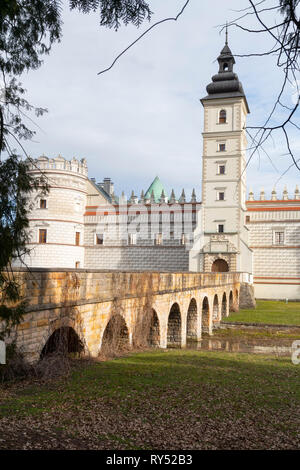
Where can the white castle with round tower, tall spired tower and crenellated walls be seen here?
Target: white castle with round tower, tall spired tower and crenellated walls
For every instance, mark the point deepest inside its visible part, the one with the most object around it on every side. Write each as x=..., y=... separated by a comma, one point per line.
x=83, y=224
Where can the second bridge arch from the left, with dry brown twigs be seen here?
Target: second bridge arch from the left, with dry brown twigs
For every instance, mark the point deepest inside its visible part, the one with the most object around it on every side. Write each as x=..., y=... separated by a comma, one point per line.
x=115, y=337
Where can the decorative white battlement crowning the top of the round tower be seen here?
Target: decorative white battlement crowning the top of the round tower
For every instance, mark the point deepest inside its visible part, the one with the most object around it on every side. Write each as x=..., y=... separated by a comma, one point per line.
x=59, y=163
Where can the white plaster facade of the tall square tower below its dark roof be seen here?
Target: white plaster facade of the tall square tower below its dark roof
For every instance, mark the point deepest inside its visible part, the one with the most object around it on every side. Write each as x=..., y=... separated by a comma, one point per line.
x=229, y=212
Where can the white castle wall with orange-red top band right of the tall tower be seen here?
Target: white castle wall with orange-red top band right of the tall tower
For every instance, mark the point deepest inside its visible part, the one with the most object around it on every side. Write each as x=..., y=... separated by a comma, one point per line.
x=276, y=267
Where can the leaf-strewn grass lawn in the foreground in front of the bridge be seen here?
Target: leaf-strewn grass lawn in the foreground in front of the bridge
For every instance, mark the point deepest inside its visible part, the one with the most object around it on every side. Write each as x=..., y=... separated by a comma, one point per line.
x=173, y=399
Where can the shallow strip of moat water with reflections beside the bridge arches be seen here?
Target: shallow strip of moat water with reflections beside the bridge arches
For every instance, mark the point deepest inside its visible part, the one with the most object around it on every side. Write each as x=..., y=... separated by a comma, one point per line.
x=210, y=344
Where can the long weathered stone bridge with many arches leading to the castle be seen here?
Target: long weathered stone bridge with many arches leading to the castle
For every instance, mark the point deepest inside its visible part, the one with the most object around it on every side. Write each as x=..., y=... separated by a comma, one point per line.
x=95, y=308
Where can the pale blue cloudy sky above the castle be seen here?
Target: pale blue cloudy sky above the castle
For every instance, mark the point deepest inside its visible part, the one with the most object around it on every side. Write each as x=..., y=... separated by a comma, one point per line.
x=143, y=118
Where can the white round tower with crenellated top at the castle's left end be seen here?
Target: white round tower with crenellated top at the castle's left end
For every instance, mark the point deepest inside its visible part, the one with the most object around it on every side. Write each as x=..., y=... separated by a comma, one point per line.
x=56, y=219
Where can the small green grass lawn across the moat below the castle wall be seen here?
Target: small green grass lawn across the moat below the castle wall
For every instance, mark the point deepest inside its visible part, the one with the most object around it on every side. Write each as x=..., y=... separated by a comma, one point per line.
x=269, y=311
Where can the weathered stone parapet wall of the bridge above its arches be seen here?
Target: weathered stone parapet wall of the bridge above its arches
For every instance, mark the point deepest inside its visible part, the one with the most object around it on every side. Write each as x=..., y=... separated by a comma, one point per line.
x=50, y=288
